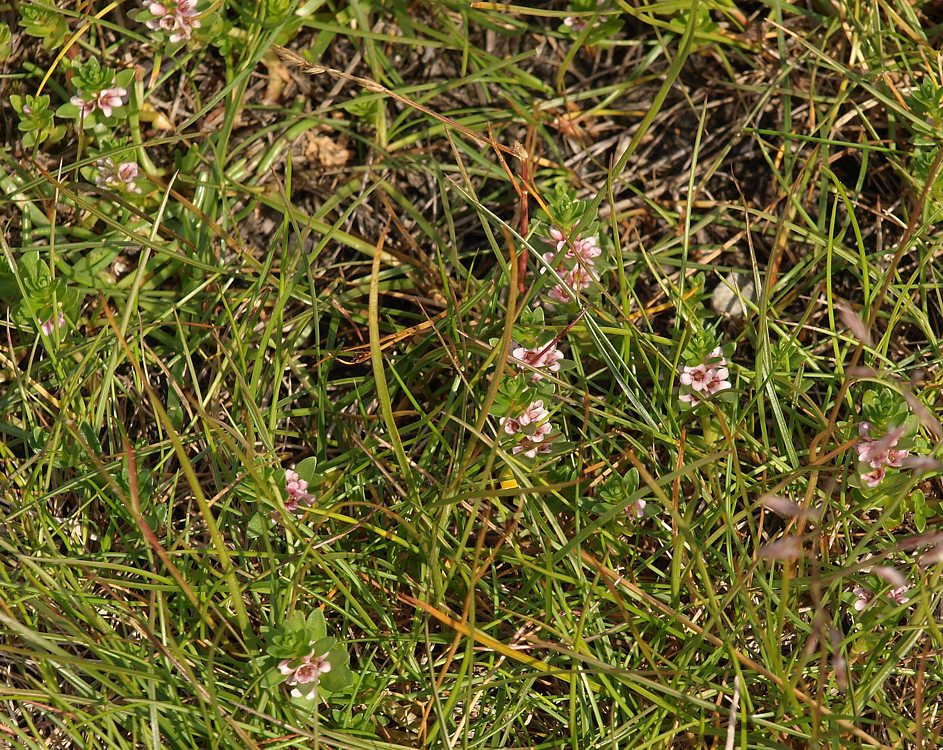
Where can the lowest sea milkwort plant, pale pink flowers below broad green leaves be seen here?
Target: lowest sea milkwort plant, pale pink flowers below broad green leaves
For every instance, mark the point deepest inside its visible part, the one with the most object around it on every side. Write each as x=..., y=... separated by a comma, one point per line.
x=303, y=657
